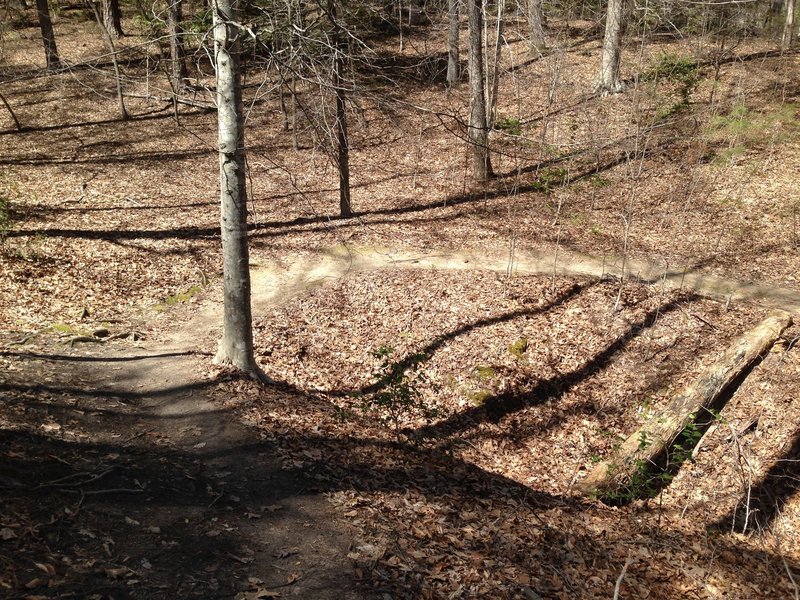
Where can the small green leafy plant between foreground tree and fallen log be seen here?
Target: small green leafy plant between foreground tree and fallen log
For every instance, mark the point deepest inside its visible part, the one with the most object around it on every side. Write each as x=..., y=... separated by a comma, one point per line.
x=398, y=394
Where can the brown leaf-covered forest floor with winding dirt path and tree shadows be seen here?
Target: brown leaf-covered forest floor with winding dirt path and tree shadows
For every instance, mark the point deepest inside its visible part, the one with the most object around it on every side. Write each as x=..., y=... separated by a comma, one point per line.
x=537, y=320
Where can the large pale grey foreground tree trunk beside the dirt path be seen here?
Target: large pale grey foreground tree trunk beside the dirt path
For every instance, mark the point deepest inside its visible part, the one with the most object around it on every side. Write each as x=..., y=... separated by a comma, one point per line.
x=236, y=345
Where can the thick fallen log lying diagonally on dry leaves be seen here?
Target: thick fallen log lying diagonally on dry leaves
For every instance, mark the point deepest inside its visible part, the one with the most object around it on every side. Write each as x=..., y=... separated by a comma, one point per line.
x=617, y=477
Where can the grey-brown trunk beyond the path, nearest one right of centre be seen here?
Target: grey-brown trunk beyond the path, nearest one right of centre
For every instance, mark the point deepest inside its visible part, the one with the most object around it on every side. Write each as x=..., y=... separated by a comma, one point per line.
x=478, y=127
